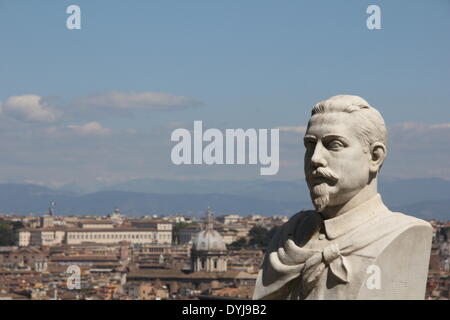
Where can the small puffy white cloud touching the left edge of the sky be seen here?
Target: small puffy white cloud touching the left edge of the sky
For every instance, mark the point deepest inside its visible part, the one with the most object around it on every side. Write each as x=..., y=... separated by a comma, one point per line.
x=29, y=108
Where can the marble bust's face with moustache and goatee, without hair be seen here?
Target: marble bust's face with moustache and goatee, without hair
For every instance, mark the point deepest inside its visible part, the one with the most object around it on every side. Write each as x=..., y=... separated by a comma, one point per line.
x=336, y=159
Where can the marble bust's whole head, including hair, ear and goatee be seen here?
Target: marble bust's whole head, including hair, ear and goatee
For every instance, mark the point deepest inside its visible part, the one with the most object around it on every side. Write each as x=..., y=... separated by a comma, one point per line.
x=345, y=145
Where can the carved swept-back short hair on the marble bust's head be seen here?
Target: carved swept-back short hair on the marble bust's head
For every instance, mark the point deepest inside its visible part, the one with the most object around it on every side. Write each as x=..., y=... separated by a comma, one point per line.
x=371, y=126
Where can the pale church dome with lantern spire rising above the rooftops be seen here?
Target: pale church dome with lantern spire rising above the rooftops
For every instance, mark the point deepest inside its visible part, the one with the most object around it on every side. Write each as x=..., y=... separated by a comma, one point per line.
x=208, y=251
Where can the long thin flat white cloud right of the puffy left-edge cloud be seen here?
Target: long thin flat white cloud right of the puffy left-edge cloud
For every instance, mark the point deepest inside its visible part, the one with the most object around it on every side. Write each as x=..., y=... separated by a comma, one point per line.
x=138, y=100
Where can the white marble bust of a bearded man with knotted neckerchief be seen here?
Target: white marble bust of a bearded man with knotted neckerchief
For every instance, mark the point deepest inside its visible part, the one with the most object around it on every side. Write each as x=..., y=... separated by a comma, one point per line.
x=351, y=246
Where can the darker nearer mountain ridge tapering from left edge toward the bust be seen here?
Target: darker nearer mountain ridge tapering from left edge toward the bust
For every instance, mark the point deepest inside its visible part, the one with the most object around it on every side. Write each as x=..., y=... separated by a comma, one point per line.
x=25, y=199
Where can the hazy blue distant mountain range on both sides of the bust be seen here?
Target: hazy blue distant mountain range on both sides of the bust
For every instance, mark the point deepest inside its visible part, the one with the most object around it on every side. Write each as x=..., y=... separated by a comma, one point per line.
x=425, y=198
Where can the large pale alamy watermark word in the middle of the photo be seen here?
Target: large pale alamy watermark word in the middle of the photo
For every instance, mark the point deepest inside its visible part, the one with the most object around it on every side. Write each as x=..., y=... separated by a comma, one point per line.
x=227, y=148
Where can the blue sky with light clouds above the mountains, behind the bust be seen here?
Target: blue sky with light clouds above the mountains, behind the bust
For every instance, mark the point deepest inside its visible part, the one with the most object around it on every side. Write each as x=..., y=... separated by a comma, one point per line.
x=249, y=64
